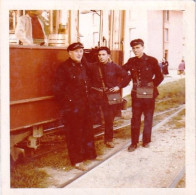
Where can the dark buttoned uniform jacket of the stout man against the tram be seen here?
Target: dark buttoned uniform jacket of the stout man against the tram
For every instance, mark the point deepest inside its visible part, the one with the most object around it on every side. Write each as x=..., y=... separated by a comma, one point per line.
x=71, y=85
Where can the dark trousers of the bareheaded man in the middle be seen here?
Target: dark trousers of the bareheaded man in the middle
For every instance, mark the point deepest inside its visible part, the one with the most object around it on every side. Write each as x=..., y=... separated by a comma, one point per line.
x=109, y=113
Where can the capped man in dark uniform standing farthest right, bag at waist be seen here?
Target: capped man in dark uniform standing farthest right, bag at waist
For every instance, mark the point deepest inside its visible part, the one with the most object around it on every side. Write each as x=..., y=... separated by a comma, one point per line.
x=144, y=71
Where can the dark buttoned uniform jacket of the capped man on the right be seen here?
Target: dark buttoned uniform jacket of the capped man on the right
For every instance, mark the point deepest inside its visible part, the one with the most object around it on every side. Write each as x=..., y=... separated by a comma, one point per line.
x=144, y=70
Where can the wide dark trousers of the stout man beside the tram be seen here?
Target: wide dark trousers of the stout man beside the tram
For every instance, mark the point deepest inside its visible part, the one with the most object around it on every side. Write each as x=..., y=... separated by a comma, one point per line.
x=80, y=136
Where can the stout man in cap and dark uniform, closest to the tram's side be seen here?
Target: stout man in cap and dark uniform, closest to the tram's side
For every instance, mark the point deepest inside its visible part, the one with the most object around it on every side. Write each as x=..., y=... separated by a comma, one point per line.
x=71, y=88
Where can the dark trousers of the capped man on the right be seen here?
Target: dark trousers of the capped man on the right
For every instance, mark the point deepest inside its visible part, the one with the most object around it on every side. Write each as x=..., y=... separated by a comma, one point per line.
x=139, y=106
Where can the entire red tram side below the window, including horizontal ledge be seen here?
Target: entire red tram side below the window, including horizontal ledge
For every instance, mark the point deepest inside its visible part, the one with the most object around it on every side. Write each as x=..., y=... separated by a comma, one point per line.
x=31, y=77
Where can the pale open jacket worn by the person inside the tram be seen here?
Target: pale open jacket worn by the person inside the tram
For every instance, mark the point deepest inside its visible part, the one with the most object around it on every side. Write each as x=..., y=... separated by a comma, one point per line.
x=24, y=30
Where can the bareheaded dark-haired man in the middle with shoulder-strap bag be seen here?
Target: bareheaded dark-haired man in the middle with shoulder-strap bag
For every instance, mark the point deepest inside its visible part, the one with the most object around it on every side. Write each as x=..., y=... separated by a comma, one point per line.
x=114, y=78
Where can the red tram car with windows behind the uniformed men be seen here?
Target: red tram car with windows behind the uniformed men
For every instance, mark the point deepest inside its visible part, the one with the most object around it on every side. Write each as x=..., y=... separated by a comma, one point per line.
x=33, y=110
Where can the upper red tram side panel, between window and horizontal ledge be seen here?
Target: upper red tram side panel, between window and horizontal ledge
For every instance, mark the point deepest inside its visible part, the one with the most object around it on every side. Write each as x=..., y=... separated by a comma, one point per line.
x=32, y=70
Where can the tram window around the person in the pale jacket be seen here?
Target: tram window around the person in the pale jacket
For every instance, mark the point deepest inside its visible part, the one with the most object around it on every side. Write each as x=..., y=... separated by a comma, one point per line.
x=55, y=23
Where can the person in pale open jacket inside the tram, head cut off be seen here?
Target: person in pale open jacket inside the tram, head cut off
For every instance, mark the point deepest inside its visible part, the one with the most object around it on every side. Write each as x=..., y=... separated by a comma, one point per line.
x=30, y=29
